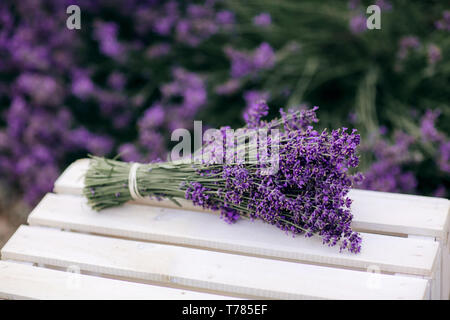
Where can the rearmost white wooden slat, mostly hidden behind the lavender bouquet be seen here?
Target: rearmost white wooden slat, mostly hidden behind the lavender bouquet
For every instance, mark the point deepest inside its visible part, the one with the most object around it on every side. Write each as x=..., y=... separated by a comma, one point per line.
x=373, y=211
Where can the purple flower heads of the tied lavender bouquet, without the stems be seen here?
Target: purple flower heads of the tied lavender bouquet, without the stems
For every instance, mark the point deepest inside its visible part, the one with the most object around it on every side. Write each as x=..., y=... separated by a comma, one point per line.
x=312, y=172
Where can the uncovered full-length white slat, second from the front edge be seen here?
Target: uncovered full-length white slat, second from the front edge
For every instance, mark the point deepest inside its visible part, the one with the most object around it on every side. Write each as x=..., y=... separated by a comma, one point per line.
x=222, y=272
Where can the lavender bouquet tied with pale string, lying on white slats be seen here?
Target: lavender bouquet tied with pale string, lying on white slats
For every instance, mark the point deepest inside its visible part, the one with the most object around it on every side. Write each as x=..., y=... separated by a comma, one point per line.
x=306, y=194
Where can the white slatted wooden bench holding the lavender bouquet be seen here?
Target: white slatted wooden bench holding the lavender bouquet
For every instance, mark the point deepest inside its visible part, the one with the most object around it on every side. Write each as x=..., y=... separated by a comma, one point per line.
x=139, y=251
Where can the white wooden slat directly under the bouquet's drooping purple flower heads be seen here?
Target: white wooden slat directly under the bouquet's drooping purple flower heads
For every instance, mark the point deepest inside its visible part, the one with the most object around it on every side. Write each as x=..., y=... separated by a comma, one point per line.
x=206, y=230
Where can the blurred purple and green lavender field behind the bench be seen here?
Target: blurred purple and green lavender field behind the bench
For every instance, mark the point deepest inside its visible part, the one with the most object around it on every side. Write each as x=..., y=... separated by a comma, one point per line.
x=139, y=69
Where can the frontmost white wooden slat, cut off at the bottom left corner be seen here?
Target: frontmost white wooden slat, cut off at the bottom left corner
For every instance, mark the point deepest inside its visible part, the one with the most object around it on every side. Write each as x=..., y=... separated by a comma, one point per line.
x=18, y=281
